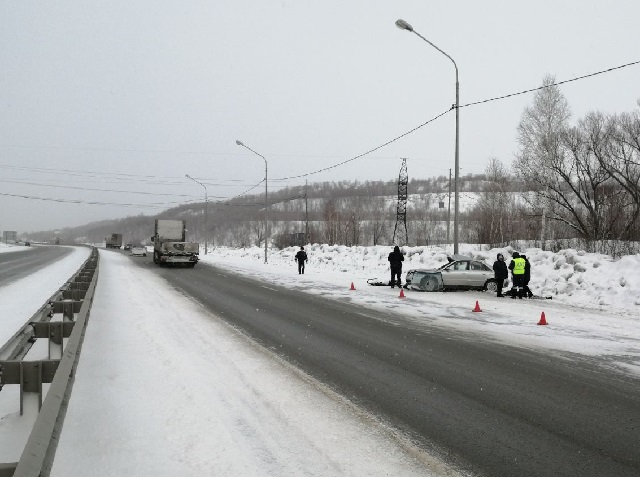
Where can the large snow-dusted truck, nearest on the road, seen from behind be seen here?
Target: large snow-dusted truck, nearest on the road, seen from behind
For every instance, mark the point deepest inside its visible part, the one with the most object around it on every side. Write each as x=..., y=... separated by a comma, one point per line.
x=169, y=245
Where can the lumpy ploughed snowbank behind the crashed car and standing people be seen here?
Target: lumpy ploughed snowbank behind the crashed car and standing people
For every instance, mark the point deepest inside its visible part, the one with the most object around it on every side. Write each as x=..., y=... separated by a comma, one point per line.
x=578, y=278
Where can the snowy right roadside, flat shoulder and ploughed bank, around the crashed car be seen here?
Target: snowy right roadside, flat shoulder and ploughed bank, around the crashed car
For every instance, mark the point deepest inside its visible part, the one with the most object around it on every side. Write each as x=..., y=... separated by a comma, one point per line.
x=594, y=310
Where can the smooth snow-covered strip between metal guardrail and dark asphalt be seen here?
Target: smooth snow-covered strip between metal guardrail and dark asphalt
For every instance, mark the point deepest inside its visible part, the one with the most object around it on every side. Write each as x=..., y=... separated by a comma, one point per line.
x=163, y=388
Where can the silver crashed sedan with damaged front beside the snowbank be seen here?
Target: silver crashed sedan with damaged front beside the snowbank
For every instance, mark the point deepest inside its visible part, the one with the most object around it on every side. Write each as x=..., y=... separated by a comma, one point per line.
x=461, y=273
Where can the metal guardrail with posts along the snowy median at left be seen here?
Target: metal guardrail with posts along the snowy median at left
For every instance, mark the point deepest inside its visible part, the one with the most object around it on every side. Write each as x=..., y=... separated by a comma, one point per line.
x=73, y=301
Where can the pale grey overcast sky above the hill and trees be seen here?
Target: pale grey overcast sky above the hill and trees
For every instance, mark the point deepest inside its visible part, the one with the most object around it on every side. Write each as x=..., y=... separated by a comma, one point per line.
x=114, y=102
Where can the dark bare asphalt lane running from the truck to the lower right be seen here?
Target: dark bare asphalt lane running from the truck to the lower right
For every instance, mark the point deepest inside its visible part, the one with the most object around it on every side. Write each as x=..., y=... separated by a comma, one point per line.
x=487, y=408
